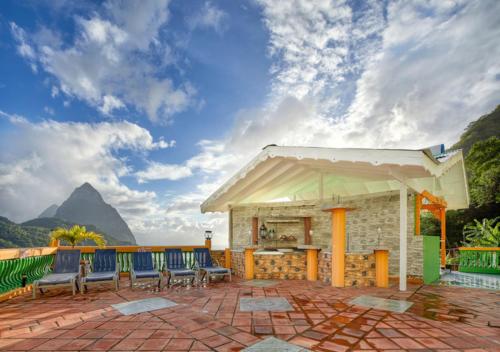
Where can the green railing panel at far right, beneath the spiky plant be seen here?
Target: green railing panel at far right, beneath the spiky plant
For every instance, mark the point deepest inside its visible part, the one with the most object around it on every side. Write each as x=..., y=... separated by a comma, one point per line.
x=480, y=261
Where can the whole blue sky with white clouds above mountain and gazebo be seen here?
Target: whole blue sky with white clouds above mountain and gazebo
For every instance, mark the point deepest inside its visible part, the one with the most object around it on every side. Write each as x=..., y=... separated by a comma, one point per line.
x=156, y=103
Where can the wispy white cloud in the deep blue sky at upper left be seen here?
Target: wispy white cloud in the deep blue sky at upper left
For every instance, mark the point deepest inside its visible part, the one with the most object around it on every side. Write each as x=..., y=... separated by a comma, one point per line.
x=114, y=60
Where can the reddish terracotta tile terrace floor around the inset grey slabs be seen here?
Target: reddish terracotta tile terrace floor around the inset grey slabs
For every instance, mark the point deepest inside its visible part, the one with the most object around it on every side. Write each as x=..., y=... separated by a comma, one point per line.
x=208, y=319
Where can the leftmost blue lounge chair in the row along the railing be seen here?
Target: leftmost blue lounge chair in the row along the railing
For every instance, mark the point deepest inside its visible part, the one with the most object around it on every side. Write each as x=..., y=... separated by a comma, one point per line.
x=66, y=272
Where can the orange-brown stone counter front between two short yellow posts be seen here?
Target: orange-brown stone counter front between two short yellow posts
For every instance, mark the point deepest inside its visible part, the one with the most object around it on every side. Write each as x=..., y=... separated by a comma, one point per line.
x=287, y=266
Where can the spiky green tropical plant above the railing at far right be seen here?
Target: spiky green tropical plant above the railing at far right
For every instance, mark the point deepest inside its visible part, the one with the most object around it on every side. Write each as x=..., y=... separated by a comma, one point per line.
x=483, y=234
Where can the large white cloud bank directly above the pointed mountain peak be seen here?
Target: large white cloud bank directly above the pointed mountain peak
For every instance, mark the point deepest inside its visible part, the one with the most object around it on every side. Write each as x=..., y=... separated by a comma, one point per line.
x=67, y=154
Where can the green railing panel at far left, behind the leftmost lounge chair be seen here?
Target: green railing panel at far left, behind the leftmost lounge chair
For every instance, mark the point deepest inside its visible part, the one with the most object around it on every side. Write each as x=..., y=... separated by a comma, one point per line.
x=13, y=270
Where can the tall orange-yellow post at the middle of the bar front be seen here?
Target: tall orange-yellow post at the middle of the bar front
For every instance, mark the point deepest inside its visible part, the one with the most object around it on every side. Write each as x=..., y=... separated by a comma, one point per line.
x=338, y=246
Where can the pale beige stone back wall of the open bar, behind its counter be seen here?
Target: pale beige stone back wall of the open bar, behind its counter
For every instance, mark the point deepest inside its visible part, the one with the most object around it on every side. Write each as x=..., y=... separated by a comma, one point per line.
x=374, y=223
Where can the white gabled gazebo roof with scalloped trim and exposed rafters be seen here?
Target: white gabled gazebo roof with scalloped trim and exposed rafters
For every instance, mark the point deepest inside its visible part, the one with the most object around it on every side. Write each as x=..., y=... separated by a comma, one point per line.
x=281, y=174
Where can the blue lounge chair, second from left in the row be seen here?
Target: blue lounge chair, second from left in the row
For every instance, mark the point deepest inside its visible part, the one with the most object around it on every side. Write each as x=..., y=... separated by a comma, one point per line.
x=104, y=269
